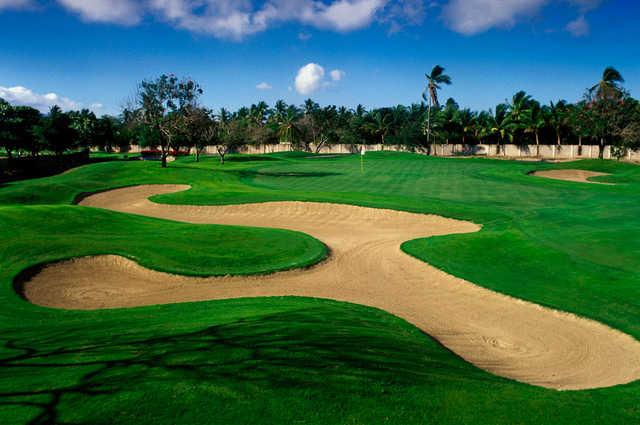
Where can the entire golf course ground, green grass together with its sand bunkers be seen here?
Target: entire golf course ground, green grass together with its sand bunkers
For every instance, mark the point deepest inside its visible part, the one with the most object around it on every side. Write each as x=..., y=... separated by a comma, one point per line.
x=301, y=288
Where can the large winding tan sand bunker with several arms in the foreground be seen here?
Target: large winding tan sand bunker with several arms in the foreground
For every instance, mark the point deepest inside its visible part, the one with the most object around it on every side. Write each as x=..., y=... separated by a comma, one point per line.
x=503, y=335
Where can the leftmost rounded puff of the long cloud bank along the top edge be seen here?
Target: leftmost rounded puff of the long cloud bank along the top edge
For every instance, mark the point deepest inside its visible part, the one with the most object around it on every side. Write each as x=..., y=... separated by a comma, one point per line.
x=123, y=12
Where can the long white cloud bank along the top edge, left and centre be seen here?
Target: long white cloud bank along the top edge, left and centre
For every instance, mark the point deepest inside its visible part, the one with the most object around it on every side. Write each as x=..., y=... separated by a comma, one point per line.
x=233, y=19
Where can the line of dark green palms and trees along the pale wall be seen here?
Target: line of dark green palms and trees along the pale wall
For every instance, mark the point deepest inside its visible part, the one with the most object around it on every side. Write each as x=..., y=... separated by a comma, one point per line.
x=166, y=114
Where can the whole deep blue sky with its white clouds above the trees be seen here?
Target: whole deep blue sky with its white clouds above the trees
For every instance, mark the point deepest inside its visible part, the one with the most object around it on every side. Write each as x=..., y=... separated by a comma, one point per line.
x=92, y=53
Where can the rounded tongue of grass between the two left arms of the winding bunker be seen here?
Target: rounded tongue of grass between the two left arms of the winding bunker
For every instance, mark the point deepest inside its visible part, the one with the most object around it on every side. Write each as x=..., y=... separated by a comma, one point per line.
x=207, y=250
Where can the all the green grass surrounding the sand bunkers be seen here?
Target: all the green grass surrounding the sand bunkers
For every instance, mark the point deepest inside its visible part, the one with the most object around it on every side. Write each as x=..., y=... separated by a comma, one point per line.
x=572, y=246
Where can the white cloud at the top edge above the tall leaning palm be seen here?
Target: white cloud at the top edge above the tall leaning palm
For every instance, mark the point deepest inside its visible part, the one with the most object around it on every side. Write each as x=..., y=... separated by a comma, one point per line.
x=475, y=16
